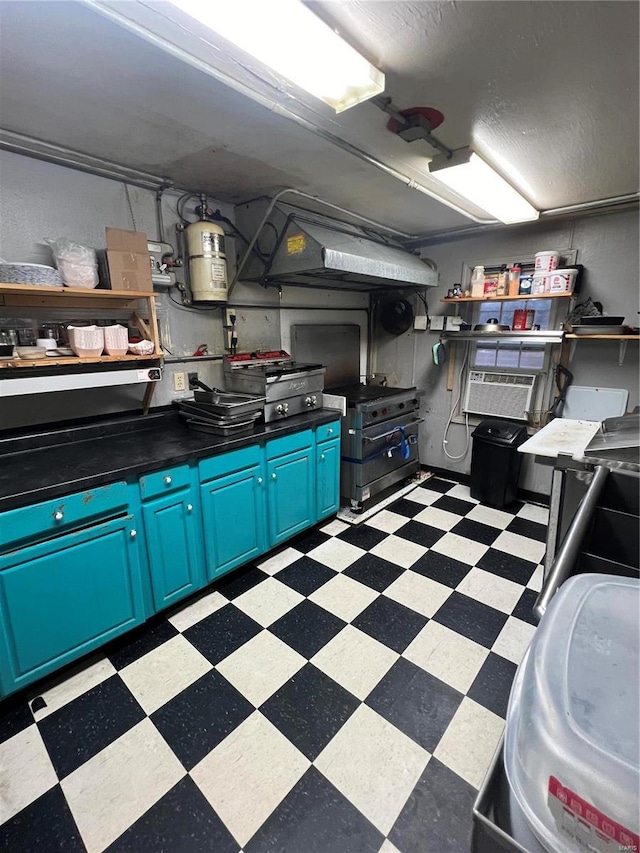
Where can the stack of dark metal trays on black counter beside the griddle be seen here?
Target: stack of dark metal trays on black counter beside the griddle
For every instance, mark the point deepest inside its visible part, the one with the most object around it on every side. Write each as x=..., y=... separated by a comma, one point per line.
x=231, y=414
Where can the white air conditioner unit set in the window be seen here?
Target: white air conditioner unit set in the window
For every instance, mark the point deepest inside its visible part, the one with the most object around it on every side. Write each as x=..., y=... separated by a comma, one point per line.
x=504, y=395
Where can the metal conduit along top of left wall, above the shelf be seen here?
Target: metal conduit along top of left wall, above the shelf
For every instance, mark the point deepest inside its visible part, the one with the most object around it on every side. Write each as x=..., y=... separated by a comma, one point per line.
x=19, y=143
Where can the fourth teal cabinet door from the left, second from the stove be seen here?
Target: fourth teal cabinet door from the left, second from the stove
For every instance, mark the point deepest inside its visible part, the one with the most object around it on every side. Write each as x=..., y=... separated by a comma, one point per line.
x=291, y=500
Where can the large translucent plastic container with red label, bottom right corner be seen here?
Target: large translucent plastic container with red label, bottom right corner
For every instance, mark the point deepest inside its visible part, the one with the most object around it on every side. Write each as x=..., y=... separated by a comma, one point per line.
x=571, y=750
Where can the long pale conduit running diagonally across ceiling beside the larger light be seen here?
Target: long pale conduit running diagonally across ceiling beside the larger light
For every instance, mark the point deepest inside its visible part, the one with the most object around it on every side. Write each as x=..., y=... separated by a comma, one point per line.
x=271, y=105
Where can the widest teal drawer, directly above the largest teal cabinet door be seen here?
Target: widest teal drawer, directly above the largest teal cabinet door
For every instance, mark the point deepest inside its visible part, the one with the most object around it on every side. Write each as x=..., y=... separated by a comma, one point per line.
x=41, y=521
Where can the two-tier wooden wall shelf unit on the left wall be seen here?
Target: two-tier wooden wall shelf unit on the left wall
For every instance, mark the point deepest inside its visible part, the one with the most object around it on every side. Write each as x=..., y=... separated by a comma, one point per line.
x=22, y=376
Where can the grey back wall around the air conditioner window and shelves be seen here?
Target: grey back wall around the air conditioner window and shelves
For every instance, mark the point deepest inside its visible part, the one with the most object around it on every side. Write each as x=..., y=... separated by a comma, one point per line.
x=607, y=245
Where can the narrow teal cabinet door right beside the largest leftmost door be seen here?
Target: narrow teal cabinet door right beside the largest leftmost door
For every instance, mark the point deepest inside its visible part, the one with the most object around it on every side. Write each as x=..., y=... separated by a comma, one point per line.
x=175, y=560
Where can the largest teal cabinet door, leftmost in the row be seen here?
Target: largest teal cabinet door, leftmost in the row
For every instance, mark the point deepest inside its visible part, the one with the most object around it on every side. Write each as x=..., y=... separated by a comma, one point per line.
x=62, y=598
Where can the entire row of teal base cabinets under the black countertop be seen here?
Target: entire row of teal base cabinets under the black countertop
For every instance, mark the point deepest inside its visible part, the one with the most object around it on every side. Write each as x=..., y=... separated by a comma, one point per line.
x=75, y=579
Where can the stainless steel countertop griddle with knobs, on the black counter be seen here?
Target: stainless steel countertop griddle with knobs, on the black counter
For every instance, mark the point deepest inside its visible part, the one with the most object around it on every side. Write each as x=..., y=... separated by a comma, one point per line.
x=289, y=387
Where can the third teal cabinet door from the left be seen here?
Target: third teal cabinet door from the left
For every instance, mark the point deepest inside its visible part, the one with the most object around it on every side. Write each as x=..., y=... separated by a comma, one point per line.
x=233, y=511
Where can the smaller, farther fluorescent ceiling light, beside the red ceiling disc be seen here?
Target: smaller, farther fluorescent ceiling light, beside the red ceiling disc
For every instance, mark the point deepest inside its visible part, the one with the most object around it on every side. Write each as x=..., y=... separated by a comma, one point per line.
x=471, y=177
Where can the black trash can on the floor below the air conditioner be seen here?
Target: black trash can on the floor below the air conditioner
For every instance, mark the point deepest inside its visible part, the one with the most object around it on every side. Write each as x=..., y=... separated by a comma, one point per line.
x=495, y=461
